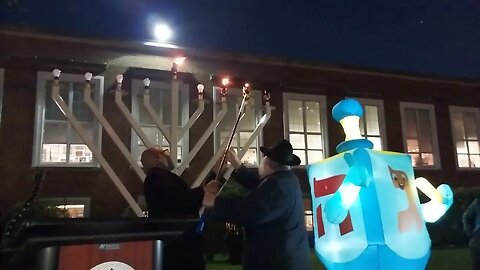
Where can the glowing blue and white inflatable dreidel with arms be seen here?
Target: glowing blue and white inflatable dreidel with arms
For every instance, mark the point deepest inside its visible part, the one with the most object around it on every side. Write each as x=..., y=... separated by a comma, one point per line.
x=367, y=214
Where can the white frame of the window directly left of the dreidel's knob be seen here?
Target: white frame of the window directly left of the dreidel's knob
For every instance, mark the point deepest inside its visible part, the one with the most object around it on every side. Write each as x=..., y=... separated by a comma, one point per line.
x=321, y=99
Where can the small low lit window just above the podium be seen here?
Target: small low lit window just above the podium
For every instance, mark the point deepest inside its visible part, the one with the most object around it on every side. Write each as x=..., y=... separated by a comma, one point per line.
x=73, y=206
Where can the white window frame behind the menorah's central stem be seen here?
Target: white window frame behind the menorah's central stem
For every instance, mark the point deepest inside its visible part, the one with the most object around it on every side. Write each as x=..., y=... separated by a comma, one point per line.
x=137, y=89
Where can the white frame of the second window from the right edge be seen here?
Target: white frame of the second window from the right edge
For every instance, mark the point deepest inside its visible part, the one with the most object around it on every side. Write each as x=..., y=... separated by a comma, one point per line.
x=431, y=114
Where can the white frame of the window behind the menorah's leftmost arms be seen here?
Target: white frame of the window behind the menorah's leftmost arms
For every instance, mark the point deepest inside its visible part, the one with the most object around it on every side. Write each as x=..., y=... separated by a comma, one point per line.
x=42, y=78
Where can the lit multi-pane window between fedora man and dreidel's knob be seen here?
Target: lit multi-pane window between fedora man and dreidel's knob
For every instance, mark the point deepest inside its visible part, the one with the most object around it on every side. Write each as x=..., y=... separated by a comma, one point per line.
x=305, y=126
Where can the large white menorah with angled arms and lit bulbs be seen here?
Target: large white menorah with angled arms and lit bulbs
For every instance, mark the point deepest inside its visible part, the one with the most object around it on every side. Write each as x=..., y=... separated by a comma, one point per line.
x=172, y=134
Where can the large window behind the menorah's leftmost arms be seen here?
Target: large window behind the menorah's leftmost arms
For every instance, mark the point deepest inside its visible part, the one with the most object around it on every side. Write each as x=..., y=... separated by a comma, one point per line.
x=56, y=141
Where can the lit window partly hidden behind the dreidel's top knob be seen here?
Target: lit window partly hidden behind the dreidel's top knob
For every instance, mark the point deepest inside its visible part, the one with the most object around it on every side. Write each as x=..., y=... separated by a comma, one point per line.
x=372, y=123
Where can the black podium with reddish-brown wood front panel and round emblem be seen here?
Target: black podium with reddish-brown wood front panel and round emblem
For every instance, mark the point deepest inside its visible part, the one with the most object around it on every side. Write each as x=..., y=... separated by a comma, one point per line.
x=133, y=243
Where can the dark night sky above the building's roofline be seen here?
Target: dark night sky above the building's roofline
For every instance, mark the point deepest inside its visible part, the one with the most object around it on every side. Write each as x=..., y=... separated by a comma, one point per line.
x=438, y=37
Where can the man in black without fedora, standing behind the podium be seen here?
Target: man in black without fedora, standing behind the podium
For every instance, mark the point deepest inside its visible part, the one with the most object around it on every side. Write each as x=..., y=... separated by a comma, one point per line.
x=168, y=196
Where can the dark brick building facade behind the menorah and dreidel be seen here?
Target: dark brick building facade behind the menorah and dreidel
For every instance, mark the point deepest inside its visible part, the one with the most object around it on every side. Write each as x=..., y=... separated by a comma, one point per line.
x=442, y=110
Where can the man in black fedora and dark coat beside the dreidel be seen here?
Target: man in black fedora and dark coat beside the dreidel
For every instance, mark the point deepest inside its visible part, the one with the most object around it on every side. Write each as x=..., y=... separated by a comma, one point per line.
x=272, y=214
